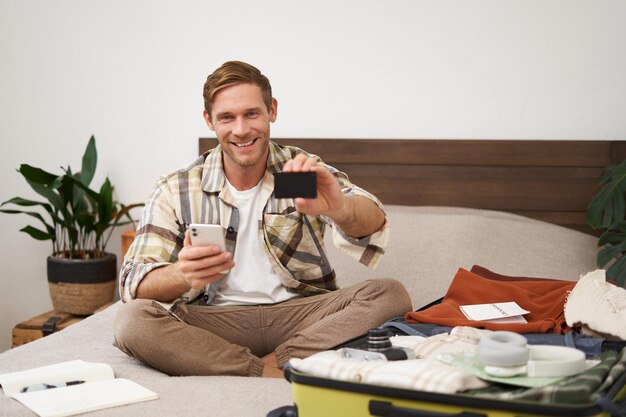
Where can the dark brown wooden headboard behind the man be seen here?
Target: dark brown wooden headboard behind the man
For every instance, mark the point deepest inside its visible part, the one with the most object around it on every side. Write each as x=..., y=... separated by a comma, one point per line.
x=547, y=180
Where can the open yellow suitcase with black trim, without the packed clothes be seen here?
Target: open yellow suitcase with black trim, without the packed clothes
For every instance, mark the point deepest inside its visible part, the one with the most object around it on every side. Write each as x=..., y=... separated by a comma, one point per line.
x=322, y=397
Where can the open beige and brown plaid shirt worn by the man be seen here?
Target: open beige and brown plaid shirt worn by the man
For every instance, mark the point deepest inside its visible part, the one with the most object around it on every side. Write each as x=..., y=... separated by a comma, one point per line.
x=293, y=242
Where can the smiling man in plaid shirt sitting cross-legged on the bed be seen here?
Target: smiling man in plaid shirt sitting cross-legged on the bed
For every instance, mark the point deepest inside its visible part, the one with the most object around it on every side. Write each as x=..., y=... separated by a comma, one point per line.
x=279, y=298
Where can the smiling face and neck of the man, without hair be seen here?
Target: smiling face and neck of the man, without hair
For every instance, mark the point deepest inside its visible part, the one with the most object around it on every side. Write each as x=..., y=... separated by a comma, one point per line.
x=241, y=122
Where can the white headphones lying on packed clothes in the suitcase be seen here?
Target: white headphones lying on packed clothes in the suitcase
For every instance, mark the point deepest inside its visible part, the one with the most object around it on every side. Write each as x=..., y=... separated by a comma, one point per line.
x=508, y=354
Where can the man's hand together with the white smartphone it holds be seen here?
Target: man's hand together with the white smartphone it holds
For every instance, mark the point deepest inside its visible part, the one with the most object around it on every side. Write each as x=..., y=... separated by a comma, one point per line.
x=203, y=258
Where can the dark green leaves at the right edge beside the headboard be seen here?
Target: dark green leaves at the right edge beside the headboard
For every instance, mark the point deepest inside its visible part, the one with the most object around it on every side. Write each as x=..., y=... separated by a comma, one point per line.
x=607, y=212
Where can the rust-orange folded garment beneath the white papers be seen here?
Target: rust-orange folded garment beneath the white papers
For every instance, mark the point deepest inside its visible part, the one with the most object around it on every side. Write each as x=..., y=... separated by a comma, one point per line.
x=543, y=298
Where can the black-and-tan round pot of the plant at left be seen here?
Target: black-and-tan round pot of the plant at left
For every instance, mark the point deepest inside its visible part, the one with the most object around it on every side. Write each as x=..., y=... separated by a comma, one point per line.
x=81, y=286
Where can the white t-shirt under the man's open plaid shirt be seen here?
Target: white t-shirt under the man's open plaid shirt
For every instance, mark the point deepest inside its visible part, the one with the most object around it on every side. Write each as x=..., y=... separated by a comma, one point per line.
x=252, y=280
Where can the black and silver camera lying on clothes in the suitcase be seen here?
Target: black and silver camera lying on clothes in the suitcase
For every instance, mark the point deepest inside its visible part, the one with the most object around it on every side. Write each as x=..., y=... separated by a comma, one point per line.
x=378, y=348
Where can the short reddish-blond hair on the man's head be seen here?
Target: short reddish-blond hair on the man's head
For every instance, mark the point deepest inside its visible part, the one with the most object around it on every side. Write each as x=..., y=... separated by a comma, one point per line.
x=231, y=73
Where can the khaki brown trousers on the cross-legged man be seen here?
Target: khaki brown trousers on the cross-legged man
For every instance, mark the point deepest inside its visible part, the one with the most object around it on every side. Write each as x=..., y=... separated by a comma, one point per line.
x=231, y=340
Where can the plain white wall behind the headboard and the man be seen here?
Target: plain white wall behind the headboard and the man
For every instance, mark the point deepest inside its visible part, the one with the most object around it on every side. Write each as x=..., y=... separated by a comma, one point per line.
x=131, y=73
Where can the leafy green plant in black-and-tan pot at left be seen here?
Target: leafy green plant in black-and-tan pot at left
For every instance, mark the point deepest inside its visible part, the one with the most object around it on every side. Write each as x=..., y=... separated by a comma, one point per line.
x=79, y=221
